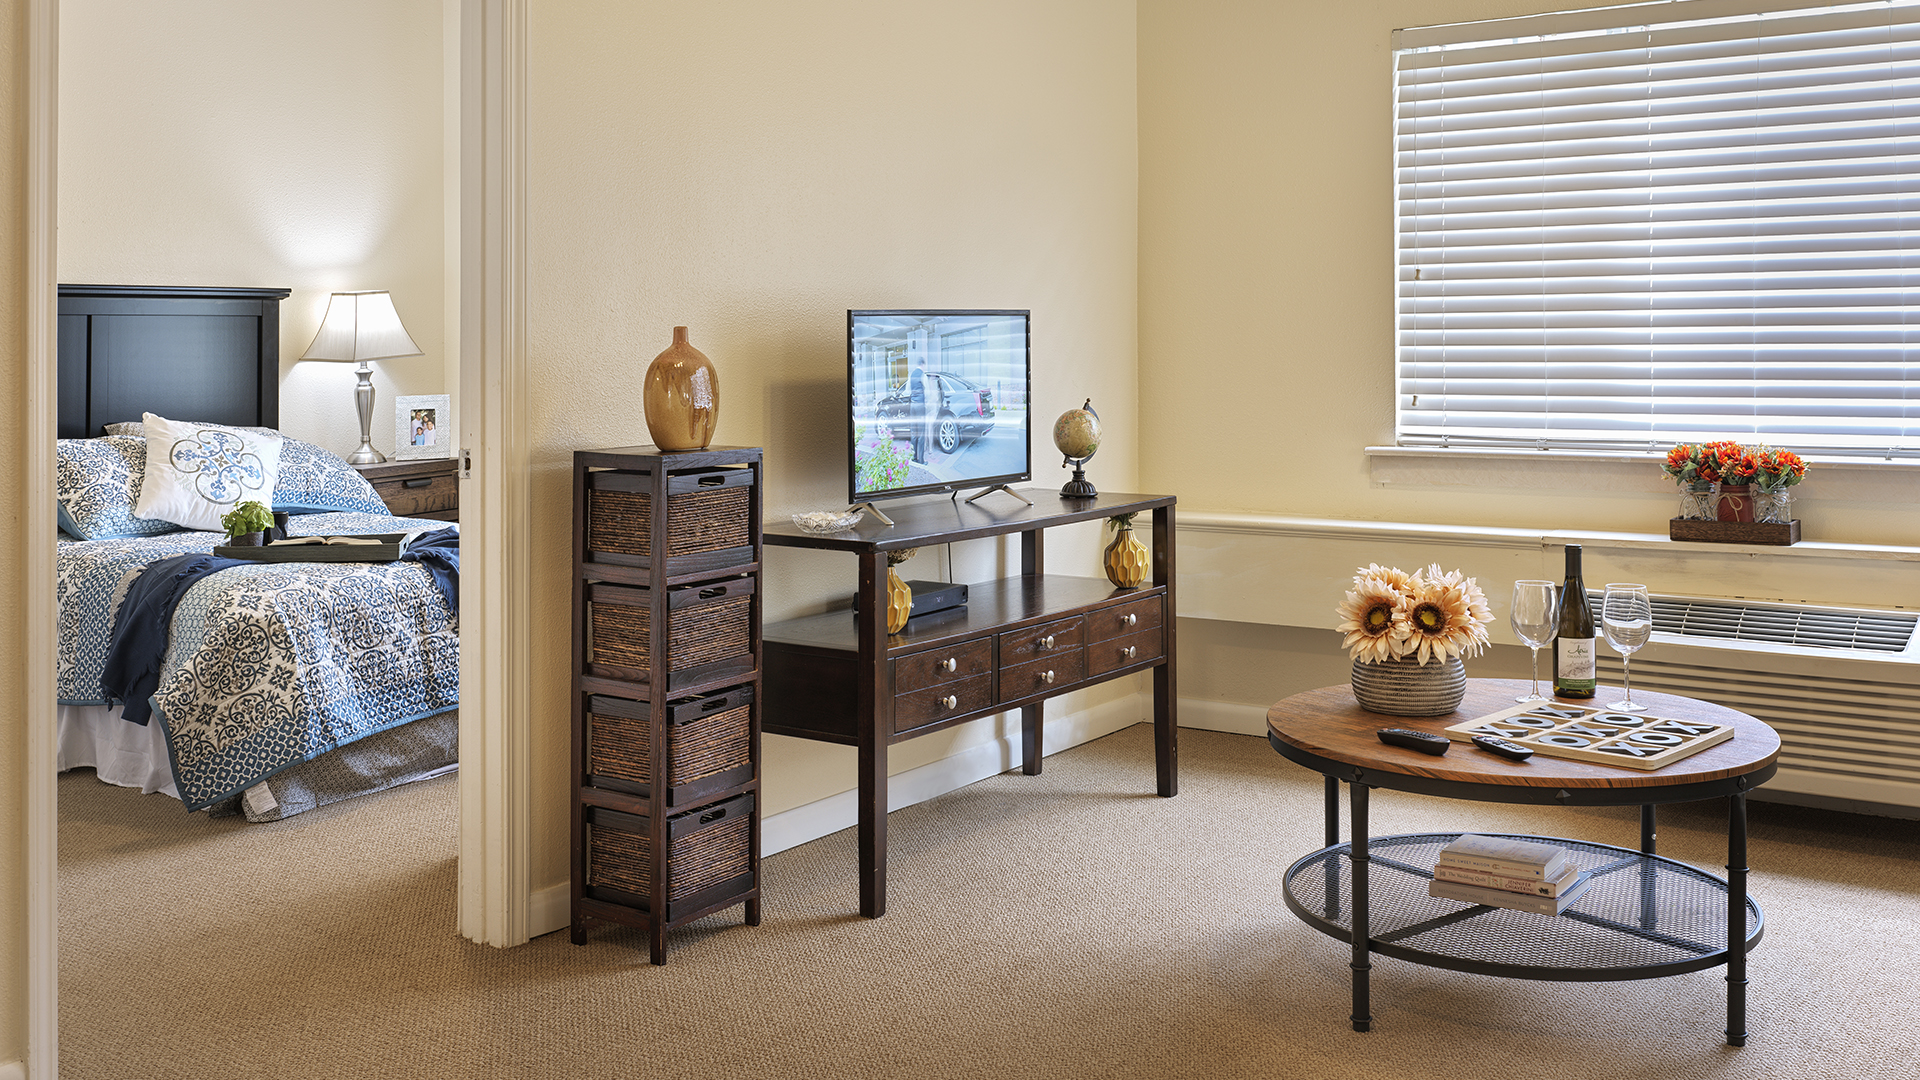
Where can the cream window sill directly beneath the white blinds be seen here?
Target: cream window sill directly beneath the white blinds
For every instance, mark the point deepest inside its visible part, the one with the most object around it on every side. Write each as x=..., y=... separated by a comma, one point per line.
x=1612, y=472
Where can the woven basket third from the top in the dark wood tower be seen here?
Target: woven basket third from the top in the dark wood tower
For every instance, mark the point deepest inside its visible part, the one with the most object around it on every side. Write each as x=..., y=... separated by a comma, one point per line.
x=708, y=737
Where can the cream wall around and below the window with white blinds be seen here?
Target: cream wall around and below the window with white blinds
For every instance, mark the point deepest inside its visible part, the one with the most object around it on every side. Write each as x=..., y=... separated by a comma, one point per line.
x=1268, y=285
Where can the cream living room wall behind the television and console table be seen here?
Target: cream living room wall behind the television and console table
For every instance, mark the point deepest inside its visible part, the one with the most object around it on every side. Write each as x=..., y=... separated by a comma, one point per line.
x=756, y=168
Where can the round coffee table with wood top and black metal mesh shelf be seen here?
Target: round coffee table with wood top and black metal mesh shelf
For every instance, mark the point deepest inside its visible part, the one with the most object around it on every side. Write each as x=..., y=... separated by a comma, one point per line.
x=1643, y=918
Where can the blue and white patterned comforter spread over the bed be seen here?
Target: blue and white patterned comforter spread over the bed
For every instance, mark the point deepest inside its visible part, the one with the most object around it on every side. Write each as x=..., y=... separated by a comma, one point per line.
x=276, y=664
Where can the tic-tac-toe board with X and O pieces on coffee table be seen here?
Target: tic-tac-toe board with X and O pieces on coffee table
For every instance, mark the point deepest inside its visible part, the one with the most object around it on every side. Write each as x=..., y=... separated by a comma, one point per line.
x=1637, y=741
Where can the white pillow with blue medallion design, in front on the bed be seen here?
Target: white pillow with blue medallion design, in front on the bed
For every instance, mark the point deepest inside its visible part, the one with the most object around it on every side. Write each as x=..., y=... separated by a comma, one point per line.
x=197, y=474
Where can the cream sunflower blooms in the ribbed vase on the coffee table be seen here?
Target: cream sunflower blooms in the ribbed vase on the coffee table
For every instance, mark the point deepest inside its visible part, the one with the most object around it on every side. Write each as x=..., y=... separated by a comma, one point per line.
x=1429, y=614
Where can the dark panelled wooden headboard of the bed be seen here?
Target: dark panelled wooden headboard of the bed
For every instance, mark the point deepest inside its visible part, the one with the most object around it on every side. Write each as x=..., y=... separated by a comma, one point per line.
x=183, y=353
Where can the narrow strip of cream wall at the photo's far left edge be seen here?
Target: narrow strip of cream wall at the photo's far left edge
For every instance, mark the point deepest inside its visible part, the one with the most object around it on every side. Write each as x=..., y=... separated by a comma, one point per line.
x=12, y=535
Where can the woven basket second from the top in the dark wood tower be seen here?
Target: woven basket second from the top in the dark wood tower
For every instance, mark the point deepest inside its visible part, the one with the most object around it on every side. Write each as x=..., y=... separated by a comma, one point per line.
x=698, y=633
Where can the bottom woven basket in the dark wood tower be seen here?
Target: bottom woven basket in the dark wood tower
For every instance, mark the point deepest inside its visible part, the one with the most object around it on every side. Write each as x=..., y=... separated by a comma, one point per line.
x=706, y=848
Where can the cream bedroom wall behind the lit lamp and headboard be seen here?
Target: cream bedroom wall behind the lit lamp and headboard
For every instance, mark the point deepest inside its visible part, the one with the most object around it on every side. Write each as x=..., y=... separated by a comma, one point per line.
x=266, y=145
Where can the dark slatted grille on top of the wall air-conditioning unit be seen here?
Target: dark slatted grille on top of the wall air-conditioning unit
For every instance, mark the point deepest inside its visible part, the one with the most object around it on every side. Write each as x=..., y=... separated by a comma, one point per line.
x=1781, y=626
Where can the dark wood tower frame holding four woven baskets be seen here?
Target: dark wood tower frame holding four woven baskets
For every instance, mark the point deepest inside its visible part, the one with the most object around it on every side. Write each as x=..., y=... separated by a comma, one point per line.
x=734, y=572
